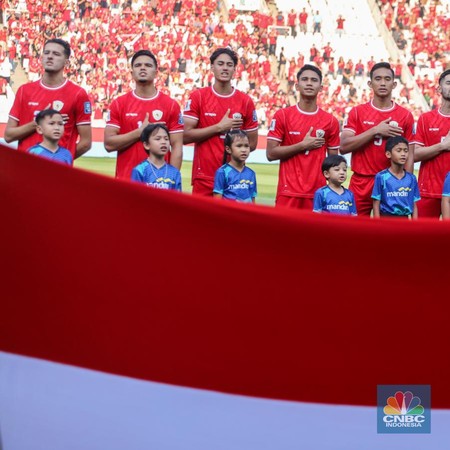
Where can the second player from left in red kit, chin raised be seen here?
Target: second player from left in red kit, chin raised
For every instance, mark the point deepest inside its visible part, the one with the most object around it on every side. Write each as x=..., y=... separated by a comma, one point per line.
x=130, y=114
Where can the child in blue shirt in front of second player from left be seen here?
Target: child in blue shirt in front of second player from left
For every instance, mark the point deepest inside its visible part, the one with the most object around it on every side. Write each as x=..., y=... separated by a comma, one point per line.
x=154, y=171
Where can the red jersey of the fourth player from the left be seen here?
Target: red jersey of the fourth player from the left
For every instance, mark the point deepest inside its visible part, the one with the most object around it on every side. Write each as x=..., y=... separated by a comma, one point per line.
x=301, y=175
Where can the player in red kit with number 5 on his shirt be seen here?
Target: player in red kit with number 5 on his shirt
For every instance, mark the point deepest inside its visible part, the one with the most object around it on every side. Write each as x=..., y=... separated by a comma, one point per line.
x=365, y=132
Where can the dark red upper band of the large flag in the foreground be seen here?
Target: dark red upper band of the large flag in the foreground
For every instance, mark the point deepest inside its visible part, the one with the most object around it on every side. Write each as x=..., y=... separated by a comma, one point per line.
x=245, y=299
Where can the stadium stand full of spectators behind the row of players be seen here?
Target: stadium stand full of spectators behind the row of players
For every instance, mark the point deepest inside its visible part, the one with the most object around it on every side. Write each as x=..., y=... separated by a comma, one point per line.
x=409, y=34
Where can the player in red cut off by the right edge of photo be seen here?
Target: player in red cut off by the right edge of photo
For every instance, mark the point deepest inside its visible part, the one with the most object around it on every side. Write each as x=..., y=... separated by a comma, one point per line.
x=432, y=149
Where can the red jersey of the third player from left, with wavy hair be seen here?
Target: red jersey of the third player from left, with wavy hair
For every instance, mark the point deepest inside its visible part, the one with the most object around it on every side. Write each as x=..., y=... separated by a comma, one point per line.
x=208, y=107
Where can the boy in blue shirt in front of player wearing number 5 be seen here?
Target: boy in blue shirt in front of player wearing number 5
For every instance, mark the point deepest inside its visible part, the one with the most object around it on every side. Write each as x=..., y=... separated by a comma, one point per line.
x=396, y=191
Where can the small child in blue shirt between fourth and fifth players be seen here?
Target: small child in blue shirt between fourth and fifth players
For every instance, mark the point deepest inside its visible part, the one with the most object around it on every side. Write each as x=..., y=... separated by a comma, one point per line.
x=334, y=198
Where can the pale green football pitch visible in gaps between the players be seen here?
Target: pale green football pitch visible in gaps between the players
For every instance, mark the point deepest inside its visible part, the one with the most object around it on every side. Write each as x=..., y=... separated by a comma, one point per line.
x=266, y=175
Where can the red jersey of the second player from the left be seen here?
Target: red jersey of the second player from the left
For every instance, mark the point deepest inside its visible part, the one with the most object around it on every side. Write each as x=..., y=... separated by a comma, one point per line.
x=127, y=113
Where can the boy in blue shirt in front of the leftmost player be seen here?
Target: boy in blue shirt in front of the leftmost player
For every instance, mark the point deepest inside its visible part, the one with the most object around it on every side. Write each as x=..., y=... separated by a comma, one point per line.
x=50, y=125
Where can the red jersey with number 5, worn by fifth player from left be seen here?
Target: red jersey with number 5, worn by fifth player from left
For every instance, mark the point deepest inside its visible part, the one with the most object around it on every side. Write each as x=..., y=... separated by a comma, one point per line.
x=372, y=159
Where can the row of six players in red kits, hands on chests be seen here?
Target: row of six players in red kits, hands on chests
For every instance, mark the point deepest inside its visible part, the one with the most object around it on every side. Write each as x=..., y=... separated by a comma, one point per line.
x=300, y=136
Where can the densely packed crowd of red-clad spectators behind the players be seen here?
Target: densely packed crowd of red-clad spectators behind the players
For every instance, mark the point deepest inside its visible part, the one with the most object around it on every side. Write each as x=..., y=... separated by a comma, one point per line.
x=182, y=34
